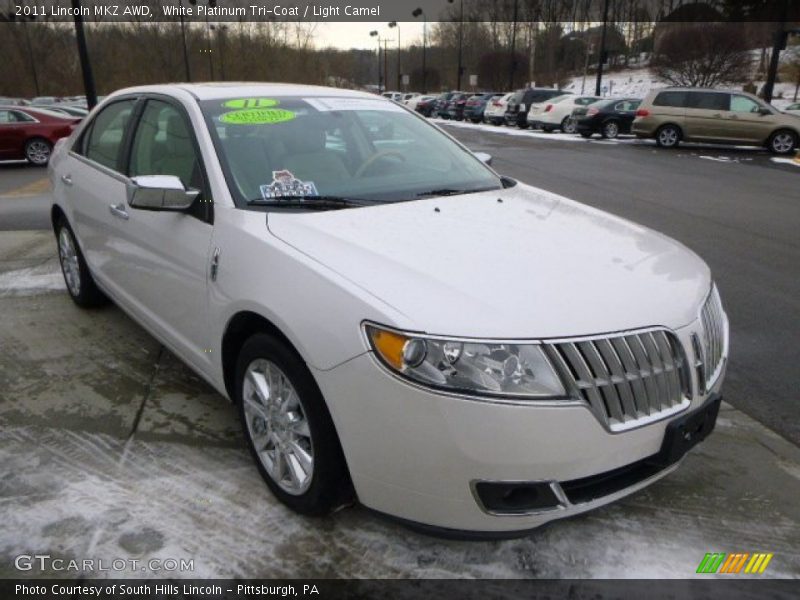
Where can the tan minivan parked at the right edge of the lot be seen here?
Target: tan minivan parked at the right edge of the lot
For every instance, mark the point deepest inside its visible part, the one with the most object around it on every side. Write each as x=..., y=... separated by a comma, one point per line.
x=673, y=115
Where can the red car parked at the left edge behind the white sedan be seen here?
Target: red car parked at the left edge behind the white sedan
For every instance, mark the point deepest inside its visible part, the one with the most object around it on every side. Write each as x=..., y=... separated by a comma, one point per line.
x=31, y=133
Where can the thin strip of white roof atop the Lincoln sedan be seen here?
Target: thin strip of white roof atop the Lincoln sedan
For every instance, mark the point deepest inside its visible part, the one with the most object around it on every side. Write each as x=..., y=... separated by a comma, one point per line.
x=220, y=90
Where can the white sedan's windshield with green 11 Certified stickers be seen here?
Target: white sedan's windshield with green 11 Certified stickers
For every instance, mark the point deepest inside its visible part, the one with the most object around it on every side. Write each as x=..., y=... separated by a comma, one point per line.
x=356, y=148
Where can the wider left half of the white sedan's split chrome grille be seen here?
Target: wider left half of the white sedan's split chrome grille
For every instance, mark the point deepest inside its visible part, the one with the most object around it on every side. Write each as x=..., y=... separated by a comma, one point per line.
x=625, y=378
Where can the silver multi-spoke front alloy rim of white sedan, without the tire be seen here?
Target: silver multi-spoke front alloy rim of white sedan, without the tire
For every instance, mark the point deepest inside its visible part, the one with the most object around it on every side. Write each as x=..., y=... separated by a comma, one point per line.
x=278, y=427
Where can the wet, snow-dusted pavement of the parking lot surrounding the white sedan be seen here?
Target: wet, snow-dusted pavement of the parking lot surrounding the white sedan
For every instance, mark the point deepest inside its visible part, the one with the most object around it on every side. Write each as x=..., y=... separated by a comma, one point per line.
x=111, y=448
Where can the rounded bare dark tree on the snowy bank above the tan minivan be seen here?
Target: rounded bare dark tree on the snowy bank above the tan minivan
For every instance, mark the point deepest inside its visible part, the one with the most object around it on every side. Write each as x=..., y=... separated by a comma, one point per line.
x=702, y=54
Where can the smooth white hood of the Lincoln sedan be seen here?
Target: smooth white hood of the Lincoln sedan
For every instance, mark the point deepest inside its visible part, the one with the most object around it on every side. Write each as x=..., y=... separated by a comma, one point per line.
x=514, y=263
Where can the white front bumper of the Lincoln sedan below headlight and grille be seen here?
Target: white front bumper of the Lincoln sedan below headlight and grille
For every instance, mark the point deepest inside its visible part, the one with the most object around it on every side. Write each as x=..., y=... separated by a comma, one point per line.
x=417, y=454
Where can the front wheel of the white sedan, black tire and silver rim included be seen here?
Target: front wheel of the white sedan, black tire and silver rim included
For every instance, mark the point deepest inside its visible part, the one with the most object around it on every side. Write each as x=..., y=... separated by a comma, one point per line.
x=289, y=430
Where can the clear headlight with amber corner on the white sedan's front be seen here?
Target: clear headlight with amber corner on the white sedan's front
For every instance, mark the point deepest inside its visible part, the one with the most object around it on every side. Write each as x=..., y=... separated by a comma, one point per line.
x=471, y=367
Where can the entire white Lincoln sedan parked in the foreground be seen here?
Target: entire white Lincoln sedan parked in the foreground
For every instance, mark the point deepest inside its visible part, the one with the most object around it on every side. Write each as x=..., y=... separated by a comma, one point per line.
x=396, y=323
